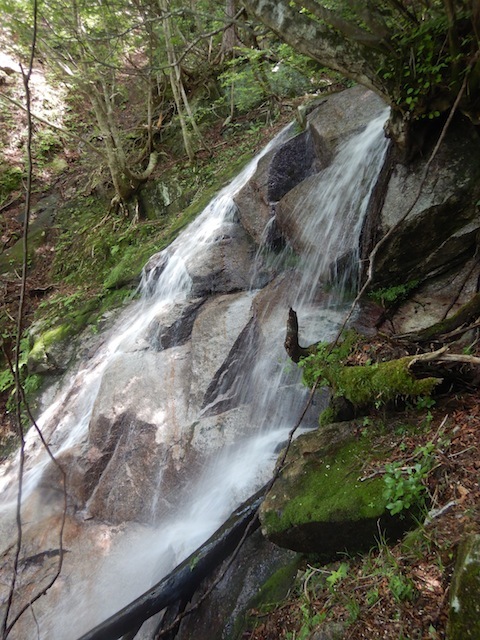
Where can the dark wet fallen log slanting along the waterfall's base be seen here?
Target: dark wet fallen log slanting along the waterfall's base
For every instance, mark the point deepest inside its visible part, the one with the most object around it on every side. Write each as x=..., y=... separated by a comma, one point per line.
x=183, y=581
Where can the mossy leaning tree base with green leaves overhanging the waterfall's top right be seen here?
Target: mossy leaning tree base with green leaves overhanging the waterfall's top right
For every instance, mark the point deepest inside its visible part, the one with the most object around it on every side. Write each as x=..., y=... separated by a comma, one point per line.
x=419, y=55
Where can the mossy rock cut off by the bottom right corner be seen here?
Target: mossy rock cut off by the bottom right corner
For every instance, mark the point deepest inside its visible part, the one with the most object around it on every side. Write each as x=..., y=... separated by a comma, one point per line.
x=464, y=615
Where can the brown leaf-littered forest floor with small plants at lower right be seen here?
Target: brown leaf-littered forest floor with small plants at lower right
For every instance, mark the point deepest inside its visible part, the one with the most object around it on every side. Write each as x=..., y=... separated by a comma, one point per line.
x=401, y=590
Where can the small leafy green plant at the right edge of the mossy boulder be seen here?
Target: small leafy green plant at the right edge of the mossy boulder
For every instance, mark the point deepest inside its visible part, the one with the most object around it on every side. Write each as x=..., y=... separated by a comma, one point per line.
x=405, y=483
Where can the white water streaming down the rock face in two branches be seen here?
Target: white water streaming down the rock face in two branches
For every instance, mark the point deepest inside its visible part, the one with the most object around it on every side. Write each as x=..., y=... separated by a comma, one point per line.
x=267, y=394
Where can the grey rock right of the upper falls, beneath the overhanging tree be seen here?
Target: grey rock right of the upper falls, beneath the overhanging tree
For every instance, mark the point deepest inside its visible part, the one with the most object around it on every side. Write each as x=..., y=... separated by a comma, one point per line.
x=440, y=232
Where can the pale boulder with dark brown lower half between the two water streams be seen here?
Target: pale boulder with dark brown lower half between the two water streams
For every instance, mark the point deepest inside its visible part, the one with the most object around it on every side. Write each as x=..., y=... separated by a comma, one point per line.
x=137, y=437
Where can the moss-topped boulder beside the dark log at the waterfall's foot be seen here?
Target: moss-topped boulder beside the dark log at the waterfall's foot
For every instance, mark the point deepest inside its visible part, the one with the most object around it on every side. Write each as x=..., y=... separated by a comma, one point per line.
x=319, y=504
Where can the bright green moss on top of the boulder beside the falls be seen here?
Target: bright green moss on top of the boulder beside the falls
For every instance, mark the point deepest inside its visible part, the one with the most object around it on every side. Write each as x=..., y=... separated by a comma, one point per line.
x=329, y=491
